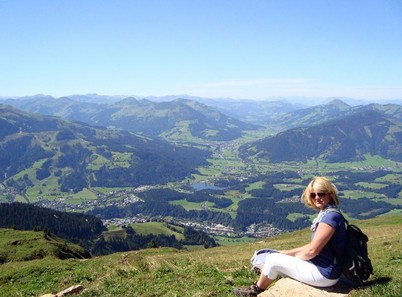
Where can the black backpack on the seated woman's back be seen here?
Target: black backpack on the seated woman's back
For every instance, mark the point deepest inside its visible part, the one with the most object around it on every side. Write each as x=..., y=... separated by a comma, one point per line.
x=356, y=262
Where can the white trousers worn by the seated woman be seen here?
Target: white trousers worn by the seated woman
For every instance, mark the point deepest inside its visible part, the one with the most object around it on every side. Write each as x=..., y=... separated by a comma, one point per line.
x=296, y=268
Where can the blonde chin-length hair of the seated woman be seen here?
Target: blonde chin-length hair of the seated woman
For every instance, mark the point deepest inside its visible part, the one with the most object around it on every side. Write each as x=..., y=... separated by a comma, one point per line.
x=324, y=186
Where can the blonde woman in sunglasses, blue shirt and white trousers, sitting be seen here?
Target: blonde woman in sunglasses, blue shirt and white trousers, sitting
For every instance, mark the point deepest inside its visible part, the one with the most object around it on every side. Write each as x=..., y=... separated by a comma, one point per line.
x=318, y=263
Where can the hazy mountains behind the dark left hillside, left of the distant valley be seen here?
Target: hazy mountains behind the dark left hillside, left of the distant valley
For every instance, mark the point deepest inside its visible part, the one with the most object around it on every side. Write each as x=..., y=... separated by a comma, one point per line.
x=180, y=119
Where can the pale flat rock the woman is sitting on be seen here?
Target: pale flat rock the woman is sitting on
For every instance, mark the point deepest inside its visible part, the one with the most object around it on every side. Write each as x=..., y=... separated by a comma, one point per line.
x=289, y=287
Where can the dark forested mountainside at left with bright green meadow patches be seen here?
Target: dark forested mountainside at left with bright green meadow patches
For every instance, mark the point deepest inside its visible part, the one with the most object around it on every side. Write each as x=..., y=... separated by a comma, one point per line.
x=75, y=155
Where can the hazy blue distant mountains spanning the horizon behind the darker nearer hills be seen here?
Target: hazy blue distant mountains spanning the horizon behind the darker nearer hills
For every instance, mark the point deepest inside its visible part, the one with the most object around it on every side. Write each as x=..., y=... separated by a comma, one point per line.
x=208, y=119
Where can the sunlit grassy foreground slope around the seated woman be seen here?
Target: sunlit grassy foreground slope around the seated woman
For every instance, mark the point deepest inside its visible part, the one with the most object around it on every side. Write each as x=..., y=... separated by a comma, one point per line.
x=211, y=272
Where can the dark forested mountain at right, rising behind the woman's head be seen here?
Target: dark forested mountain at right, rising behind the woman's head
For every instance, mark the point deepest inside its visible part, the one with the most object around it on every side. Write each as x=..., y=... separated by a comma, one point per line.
x=343, y=140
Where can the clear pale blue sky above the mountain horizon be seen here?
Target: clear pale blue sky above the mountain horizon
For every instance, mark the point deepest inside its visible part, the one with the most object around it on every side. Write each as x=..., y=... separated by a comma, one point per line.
x=250, y=49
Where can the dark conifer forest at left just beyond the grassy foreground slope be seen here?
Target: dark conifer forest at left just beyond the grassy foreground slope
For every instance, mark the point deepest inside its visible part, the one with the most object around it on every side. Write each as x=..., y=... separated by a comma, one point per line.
x=89, y=231
